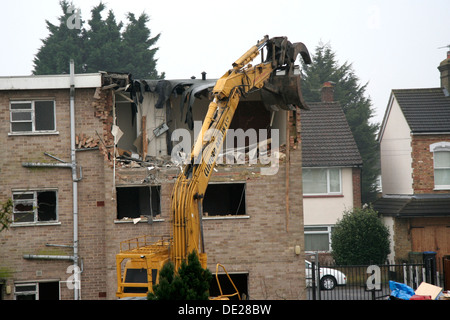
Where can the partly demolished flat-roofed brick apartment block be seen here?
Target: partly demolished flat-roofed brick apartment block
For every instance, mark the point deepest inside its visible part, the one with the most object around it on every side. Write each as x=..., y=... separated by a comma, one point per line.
x=87, y=161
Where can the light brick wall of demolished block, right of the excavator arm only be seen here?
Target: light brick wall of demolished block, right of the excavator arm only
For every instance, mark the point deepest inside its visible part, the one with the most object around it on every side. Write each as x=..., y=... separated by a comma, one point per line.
x=263, y=245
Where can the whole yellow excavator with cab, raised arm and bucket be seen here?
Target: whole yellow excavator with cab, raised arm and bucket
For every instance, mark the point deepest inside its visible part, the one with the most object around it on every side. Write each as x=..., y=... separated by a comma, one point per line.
x=275, y=76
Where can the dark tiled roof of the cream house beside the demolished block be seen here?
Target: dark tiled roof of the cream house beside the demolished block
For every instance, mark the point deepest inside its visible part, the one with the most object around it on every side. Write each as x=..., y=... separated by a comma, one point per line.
x=326, y=137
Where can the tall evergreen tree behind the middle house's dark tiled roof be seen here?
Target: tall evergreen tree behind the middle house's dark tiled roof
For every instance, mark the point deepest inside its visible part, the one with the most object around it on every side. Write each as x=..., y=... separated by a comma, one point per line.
x=356, y=106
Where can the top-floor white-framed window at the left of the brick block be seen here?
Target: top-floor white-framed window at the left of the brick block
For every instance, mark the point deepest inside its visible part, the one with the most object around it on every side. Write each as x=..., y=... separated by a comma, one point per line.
x=32, y=116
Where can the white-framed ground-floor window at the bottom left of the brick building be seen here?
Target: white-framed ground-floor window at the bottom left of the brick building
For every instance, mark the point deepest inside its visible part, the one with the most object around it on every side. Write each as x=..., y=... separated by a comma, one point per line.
x=37, y=291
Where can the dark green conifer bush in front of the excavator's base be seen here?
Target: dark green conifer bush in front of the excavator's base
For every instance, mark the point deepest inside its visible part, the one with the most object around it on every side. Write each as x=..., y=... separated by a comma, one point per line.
x=191, y=282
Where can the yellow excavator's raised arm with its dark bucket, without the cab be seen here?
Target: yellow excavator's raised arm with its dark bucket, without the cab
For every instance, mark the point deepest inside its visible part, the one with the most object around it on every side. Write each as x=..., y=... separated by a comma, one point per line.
x=280, y=91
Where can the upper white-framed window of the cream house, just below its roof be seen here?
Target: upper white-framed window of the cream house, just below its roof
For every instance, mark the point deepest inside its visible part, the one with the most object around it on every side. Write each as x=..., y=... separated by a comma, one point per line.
x=321, y=181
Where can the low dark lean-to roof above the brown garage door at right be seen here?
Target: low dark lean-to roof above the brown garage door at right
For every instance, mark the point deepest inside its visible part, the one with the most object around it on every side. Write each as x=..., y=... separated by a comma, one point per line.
x=410, y=206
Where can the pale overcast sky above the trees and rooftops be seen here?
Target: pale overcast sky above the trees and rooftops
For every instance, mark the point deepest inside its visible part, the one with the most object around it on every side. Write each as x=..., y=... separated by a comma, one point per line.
x=391, y=44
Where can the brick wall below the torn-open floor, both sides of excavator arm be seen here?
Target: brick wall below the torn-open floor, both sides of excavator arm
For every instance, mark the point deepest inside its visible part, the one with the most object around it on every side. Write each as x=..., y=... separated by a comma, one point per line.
x=261, y=244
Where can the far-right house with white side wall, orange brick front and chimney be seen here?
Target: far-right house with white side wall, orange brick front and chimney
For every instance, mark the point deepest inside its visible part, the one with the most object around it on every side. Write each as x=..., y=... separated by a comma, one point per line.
x=415, y=167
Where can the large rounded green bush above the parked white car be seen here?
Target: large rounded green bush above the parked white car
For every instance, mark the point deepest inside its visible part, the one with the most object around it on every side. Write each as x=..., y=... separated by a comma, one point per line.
x=360, y=237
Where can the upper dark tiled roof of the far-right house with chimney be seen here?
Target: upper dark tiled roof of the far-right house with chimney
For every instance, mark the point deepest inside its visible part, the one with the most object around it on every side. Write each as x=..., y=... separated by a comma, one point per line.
x=426, y=109
